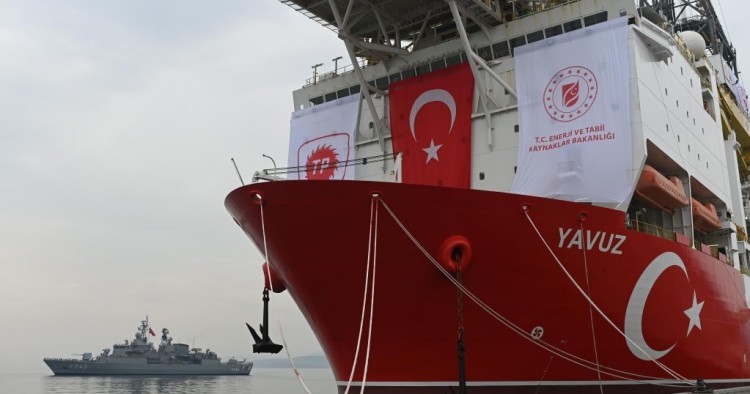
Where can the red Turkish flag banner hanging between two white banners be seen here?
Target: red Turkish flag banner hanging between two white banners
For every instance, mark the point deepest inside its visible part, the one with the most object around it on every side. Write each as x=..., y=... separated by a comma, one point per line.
x=431, y=126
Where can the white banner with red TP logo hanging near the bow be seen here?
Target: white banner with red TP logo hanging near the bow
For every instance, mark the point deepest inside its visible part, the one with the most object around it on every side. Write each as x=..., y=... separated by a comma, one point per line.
x=321, y=142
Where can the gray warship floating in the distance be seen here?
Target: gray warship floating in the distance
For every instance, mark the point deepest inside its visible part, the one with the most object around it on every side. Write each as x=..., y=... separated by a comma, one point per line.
x=139, y=357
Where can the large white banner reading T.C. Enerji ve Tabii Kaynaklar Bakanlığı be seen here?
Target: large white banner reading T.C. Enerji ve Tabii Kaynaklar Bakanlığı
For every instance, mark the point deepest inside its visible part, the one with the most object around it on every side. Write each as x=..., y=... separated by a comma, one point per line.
x=575, y=142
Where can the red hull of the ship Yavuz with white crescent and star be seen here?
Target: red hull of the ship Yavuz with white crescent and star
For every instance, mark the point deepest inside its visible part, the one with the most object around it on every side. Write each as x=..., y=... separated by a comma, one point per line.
x=691, y=316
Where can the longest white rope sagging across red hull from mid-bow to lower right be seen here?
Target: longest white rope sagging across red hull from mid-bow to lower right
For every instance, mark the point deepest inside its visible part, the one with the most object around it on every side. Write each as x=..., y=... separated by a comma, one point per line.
x=519, y=331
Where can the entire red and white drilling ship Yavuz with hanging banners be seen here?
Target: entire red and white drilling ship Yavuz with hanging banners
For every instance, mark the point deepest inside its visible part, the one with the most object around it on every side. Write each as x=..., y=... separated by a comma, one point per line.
x=516, y=197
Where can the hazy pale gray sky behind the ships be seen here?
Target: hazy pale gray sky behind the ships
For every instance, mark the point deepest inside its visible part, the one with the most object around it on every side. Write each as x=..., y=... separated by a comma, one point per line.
x=118, y=120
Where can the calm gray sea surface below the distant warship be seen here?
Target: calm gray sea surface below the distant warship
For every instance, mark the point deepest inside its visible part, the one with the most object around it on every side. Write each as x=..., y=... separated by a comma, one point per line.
x=260, y=381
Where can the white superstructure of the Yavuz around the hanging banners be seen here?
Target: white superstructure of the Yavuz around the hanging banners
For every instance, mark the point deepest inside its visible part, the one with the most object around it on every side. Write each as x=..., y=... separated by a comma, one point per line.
x=687, y=120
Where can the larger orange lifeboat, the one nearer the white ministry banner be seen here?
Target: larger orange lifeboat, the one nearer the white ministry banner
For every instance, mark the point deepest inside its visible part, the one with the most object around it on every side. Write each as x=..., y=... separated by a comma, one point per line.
x=661, y=192
